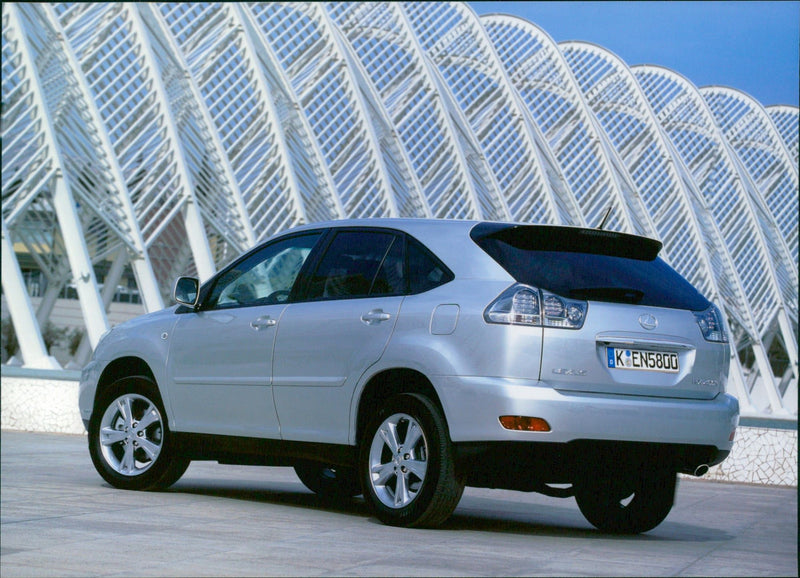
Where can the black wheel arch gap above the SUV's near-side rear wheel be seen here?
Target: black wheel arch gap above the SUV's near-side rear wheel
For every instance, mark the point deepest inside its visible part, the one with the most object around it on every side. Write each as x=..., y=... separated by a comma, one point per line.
x=390, y=382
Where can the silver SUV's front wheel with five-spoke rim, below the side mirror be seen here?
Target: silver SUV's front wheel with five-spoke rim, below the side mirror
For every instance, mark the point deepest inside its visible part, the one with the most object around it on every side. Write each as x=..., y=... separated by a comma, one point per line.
x=129, y=438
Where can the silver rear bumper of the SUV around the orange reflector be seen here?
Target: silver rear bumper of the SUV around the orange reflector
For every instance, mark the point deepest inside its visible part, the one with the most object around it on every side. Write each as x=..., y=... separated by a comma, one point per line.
x=473, y=406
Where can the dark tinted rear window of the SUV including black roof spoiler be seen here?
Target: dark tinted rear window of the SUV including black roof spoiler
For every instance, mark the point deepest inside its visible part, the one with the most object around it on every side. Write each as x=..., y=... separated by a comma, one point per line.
x=588, y=264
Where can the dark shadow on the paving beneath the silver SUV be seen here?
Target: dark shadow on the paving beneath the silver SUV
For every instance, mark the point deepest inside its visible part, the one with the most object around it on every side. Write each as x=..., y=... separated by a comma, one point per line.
x=473, y=514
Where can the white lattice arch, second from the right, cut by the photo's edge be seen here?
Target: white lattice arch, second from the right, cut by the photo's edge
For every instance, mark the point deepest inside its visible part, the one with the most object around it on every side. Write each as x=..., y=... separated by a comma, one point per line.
x=748, y=128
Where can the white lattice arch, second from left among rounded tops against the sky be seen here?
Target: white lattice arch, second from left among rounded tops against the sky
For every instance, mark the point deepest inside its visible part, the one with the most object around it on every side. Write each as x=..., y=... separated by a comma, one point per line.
x=695, y=245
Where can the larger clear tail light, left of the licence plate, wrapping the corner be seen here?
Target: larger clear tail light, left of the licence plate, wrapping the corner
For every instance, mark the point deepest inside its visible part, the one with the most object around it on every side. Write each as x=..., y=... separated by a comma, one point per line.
x=526, y=305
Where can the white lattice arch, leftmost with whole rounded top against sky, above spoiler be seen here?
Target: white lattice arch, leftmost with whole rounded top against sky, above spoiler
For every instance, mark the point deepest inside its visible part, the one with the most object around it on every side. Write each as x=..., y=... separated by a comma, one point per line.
x=540, y=74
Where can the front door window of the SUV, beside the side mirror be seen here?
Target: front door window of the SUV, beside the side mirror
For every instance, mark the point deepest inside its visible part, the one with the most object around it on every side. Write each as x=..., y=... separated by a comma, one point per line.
x=265, y=277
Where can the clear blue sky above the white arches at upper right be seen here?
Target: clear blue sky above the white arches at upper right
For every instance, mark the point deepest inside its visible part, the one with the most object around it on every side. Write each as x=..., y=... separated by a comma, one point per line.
x=752, y=46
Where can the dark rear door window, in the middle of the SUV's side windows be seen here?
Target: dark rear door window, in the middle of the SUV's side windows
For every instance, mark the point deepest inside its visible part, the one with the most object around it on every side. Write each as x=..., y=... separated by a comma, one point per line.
x=351, y=265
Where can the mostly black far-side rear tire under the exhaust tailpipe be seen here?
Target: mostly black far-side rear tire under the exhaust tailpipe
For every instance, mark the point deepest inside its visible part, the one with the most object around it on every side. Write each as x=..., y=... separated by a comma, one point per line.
x=627, y=504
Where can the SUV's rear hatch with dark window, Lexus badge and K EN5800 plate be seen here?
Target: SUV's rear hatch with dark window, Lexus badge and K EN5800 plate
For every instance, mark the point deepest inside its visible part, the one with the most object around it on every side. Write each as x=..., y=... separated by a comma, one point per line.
x=641, y=332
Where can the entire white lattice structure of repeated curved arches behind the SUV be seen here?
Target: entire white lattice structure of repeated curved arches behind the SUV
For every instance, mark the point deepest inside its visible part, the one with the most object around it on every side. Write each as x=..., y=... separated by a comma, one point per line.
x=145, y=141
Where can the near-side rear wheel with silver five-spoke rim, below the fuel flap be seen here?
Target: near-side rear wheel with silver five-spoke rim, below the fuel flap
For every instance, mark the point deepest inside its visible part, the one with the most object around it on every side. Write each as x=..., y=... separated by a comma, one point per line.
x=406, y=464
